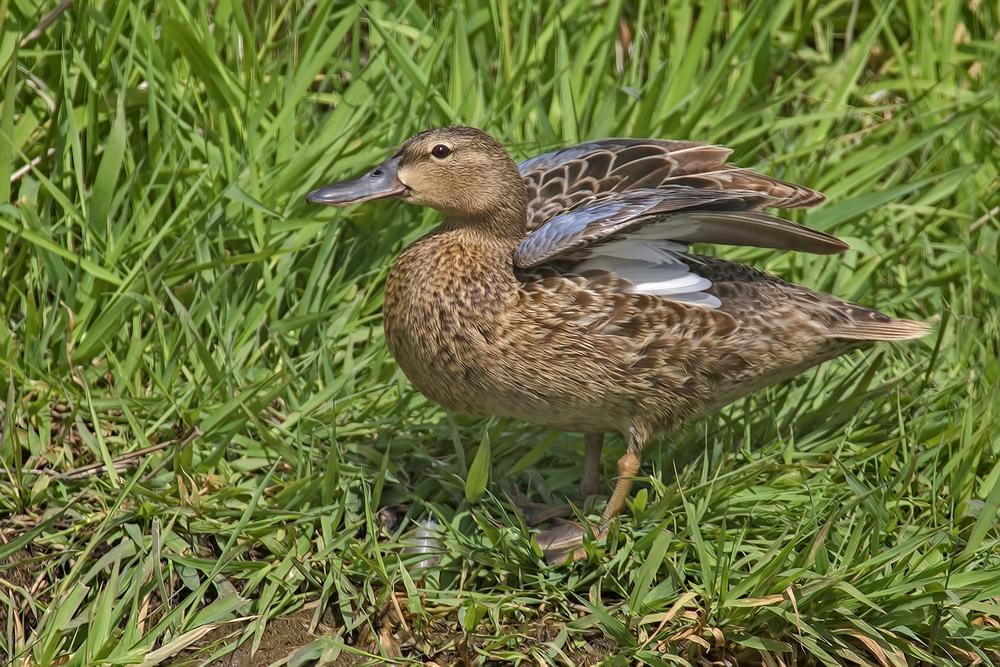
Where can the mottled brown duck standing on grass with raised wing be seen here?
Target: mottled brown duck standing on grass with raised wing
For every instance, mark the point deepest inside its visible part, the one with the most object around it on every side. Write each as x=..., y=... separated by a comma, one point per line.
x=562, y=291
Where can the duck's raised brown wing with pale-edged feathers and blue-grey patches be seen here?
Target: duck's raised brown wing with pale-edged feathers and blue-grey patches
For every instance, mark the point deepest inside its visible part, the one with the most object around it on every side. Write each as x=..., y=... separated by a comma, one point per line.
x=637, y=198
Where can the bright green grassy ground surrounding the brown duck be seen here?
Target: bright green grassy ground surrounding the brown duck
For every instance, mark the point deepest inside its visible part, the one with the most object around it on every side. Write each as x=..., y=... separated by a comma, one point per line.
x=201, y=422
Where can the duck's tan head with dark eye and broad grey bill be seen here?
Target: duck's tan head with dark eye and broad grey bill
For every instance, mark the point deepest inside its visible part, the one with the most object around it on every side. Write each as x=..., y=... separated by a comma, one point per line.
x=461, y=171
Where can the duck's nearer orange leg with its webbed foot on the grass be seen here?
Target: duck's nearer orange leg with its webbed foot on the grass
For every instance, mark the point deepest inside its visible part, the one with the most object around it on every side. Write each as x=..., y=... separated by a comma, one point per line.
x=563, y=542
